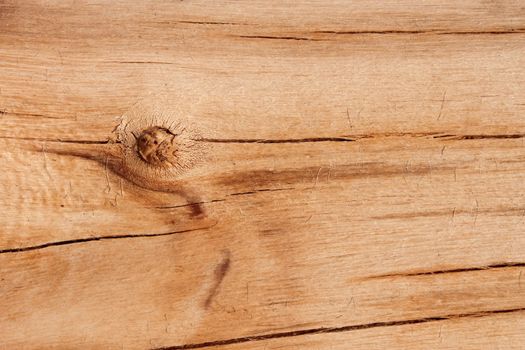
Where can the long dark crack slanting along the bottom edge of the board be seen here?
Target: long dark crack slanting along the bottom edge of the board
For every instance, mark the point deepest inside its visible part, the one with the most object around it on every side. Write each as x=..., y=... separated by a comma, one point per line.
x=323, y=330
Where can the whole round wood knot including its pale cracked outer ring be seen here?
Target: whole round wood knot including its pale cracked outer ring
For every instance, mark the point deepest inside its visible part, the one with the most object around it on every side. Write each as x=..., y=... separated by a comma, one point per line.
x=158, y=145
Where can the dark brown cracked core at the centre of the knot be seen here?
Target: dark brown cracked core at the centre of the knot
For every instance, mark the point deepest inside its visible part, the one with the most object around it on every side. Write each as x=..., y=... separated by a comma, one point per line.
x=158, y=147
